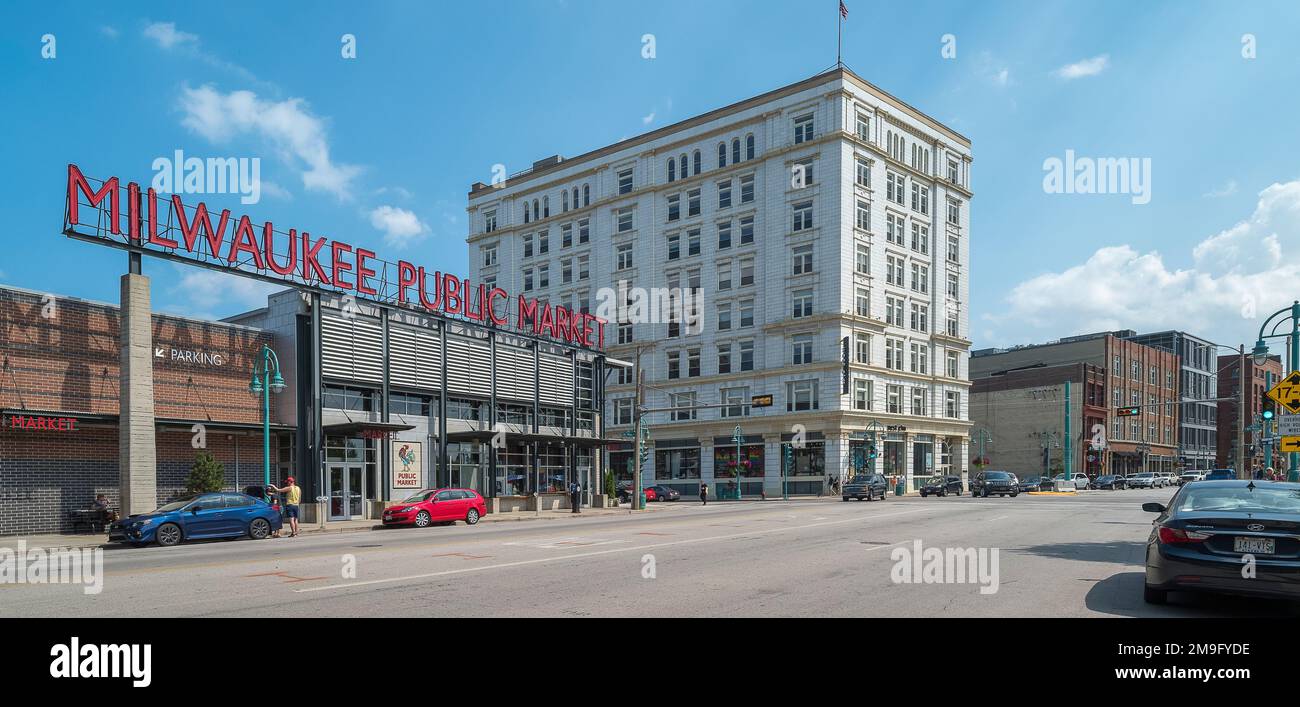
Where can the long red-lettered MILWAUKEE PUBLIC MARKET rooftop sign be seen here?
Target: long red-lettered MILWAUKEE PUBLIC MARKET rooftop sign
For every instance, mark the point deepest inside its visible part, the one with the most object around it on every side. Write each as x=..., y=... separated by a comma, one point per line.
x=175, y=231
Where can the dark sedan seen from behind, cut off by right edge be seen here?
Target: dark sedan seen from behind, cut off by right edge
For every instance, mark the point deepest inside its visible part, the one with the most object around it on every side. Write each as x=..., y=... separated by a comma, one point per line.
x=1203, y=539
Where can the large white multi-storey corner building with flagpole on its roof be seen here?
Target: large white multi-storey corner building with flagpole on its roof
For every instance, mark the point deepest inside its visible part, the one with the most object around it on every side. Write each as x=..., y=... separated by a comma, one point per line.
x=821, y=211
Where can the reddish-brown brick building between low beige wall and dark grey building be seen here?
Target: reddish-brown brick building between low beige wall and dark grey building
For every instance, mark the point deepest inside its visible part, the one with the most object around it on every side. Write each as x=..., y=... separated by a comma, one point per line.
x=1137, y=376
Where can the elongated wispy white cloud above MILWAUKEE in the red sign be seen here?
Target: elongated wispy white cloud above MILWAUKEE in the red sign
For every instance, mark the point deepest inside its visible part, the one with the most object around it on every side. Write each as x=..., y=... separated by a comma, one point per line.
x=288, y=125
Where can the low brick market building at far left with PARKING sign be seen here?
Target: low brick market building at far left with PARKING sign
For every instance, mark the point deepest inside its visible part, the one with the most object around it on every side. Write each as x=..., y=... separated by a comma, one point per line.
x=59, y=361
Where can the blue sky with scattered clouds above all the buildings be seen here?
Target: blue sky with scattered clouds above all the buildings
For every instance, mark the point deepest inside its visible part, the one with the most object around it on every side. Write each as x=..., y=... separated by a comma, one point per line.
x=382, y=150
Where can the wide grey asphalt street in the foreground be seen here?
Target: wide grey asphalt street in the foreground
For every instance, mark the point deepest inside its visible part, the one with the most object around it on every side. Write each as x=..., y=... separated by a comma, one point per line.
x=1056, y=557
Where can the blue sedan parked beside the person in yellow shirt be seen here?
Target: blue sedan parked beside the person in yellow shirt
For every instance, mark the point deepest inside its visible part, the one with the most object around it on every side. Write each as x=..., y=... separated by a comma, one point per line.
x=200, y=517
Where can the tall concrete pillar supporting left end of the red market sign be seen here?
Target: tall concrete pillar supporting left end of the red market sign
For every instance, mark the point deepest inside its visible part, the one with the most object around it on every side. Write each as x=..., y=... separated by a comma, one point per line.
x=137, y=452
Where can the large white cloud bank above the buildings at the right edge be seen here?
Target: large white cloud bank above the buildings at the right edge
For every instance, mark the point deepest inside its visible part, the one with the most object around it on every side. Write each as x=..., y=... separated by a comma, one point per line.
x=1238, y=276
